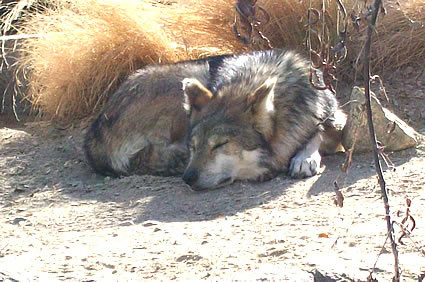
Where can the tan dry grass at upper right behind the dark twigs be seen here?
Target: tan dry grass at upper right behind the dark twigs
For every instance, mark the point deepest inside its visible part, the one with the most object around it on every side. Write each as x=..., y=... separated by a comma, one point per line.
x=398, y=41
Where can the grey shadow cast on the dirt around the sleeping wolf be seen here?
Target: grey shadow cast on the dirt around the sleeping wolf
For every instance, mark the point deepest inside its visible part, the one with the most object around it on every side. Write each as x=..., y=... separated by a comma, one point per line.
x=40, y=159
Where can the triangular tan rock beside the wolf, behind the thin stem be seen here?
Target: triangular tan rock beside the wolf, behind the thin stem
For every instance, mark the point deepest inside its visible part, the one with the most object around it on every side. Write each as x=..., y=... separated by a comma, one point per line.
x=393, y=133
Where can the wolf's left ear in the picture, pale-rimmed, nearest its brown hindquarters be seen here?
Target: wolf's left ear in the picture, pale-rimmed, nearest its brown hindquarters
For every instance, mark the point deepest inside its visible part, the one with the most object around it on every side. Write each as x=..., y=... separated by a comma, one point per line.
x=196, y=95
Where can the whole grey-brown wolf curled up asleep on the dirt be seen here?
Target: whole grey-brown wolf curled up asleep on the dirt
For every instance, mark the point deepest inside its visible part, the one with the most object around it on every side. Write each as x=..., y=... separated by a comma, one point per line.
x=243, y=117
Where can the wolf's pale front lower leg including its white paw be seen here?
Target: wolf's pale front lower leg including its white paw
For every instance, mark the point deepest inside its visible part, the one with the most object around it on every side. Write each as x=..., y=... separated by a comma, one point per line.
x=307, y=161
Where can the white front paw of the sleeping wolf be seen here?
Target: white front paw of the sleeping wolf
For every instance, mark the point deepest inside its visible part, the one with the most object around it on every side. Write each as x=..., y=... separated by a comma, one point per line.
x=303, y=165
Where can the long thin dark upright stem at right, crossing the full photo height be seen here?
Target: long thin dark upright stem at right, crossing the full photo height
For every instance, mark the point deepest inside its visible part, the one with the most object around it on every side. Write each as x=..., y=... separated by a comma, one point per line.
x=370, y=28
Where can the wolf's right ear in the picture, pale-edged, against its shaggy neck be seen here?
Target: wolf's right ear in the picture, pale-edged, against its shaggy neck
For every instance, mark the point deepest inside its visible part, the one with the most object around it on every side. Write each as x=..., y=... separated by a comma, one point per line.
x=262, y=99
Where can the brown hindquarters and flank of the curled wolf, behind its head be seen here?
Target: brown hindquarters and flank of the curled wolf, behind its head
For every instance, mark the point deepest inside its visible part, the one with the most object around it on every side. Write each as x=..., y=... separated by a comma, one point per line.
x=142, y=129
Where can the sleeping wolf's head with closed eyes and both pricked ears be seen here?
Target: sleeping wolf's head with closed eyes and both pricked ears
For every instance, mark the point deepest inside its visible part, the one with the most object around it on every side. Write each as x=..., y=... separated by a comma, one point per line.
x=230, y=134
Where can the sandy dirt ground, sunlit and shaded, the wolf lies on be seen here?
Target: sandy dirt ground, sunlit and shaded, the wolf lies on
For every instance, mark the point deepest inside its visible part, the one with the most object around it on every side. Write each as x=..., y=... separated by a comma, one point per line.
x=60, y=221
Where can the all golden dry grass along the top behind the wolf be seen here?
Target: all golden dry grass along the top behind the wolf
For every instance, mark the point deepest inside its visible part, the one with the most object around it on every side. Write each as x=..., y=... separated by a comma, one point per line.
x=87, y=47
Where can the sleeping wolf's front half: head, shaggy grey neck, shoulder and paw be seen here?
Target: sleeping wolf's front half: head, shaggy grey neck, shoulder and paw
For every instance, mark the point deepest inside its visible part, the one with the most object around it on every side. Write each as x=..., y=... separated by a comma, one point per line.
x=262, y=116
